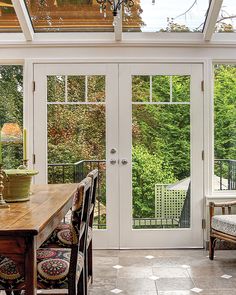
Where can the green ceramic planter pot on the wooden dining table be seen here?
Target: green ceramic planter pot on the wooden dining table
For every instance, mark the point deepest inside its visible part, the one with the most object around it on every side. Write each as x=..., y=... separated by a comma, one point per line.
x=17, y=184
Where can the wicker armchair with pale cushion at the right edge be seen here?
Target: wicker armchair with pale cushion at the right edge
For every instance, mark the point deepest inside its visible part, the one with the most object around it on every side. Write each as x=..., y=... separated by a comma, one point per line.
x=222, y=227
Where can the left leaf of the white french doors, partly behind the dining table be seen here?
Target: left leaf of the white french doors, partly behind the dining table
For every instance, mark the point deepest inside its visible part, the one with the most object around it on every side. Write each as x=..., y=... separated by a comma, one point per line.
x=75, y=129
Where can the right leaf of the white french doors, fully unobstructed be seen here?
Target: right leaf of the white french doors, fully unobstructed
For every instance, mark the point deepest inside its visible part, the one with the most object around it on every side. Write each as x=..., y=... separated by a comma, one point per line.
x=161, y=167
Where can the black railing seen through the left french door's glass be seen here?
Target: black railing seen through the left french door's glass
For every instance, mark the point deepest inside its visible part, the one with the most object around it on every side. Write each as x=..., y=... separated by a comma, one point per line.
x=74, y=173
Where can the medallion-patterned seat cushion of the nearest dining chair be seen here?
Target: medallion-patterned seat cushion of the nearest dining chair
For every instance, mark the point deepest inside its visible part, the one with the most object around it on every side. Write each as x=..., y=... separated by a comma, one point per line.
x=52, y=265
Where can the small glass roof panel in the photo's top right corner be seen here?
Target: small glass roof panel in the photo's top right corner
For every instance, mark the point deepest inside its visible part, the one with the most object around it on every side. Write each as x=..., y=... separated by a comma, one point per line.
x=227, y=17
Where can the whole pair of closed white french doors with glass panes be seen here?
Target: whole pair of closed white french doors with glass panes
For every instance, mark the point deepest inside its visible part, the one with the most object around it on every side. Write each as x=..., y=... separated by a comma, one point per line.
x=141, y=125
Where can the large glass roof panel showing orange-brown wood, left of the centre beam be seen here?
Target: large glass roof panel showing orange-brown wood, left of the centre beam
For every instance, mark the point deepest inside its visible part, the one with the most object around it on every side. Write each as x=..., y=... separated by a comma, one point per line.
x=68, y=16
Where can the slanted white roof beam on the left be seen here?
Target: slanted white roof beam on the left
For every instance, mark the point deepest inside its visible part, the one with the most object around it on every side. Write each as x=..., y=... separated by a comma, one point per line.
x=24, y=19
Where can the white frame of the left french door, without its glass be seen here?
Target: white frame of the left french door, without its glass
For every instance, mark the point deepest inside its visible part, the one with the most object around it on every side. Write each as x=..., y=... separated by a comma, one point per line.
x=107, y=238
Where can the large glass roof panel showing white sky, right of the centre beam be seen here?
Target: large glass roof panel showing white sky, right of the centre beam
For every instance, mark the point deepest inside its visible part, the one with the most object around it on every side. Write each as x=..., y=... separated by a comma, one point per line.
x=166, y=15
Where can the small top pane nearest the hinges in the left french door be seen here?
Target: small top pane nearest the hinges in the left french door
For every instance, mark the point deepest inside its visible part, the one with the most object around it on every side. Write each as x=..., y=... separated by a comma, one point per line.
x=56, y=88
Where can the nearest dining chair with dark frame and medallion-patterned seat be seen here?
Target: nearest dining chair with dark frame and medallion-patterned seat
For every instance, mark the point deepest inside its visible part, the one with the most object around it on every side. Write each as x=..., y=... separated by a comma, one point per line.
x=58, y=268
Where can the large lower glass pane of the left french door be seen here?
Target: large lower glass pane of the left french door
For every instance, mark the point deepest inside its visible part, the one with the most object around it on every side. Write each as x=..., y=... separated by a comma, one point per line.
x=76, y=145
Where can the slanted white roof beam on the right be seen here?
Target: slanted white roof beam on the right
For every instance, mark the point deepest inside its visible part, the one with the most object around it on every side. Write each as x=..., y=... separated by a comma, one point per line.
x=212, y=16
